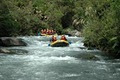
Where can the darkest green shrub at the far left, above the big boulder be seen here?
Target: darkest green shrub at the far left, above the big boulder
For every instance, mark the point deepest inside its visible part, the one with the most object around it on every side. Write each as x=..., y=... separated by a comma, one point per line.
x=8, y=26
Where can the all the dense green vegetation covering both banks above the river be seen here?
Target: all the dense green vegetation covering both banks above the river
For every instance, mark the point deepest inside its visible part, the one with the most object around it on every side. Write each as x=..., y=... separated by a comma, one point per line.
x=99, y=20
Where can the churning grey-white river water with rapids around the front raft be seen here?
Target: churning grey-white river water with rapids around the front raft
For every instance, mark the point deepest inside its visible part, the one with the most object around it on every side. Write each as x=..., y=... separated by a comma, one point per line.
x=42, y=62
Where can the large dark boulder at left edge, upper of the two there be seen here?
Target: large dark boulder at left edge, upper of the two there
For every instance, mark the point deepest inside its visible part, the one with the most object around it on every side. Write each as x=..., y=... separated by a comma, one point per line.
x=11, y=41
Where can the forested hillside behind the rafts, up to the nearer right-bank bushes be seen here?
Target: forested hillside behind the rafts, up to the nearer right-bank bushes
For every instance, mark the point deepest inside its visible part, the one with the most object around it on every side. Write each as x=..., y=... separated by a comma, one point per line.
x=28, y=16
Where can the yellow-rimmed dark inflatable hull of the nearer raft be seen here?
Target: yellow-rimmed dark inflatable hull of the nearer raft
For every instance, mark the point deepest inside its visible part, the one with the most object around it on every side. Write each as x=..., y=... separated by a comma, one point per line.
x=59, y=43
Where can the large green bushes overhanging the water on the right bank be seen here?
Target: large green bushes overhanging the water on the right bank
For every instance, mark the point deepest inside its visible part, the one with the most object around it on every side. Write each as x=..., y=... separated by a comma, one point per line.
x=102, y=26
